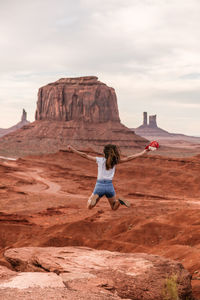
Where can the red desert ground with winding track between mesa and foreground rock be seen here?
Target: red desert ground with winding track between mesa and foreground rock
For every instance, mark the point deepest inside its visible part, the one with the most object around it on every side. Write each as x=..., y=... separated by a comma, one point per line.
x=43, y=203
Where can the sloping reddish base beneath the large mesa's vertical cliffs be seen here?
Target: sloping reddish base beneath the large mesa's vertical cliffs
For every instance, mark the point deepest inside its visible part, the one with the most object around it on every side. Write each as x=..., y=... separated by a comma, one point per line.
x=51, y=136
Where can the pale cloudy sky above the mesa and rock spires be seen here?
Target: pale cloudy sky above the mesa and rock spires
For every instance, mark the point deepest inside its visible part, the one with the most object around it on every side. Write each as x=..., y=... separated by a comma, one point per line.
x=147, y=50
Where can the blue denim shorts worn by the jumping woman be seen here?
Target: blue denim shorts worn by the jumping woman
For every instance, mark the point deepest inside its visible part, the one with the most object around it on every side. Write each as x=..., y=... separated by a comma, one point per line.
x=104, y=187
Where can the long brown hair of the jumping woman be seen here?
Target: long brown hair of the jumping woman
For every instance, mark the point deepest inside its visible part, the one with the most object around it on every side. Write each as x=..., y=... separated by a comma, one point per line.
x=112, y=155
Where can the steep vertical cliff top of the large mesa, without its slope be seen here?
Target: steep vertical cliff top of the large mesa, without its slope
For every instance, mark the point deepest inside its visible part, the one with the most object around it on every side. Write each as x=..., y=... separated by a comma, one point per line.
x=78, y=99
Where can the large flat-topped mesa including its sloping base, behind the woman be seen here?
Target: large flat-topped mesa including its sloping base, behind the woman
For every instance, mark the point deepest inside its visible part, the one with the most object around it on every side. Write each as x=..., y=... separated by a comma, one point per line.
x=80, y=111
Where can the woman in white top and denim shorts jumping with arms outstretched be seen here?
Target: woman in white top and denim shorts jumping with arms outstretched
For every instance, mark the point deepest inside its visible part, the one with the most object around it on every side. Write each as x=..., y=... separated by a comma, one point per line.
x=106, y=171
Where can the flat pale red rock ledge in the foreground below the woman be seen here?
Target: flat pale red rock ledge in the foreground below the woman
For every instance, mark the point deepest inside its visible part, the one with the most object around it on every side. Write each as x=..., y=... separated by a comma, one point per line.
x=110, y=275
